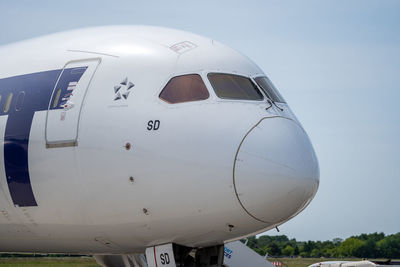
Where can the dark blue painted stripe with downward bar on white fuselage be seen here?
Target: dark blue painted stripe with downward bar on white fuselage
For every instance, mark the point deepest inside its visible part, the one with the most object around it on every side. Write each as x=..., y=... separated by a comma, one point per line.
x=38, y=88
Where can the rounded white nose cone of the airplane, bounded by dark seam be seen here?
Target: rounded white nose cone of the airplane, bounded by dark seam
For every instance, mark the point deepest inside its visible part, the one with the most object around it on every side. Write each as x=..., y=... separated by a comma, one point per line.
x=276, y=172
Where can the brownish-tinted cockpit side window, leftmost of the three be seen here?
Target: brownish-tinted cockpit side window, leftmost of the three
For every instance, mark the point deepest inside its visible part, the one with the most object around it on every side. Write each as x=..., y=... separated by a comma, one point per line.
x=184, y=88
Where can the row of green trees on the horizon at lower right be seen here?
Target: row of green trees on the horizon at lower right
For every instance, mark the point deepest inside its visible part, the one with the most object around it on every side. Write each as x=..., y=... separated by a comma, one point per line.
x=375, y=245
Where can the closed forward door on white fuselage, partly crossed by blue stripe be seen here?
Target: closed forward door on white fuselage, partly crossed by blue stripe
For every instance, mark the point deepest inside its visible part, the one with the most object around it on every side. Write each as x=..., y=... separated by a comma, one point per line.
x=66, y=102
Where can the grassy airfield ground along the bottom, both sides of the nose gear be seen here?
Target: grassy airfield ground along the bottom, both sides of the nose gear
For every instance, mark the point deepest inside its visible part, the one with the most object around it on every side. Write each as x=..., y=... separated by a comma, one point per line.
x=90, y=262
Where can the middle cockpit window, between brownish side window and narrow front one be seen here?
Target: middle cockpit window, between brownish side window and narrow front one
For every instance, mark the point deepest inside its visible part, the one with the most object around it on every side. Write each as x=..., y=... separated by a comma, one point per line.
x=229, y=86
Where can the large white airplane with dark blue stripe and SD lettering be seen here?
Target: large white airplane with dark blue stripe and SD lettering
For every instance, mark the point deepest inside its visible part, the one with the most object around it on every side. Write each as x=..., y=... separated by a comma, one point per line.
x=124, y=140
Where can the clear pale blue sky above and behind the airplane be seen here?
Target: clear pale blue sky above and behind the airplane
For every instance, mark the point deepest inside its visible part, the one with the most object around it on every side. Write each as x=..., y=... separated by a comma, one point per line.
x=337, y=63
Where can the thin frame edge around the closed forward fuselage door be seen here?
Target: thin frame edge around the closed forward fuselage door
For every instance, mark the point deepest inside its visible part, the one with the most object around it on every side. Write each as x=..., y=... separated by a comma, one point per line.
x=69, y=143
